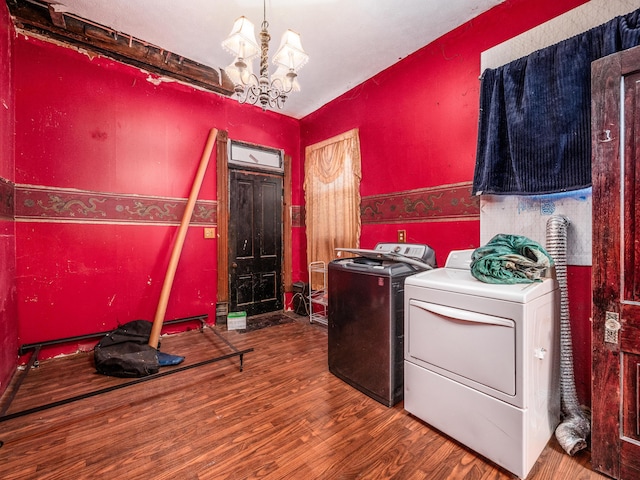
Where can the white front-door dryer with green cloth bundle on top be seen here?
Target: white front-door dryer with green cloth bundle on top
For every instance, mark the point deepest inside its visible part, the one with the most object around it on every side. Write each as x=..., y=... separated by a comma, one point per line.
x=482, y=361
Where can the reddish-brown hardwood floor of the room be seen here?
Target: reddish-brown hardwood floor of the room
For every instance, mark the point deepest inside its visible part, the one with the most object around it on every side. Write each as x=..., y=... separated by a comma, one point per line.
x=284, y=417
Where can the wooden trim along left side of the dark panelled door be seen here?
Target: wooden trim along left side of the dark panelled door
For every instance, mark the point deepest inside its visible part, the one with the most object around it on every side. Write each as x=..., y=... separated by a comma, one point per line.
x=222, y=188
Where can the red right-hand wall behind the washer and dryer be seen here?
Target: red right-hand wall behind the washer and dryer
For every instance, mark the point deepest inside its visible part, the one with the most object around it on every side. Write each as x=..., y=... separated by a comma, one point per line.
x=418, y=121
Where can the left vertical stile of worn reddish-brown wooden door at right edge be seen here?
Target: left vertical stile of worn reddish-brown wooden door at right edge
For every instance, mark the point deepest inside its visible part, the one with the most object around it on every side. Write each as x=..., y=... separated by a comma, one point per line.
x=605, y=128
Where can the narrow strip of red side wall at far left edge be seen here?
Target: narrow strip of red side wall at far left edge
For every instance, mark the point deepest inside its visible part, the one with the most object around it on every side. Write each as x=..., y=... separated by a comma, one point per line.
x=8, y=316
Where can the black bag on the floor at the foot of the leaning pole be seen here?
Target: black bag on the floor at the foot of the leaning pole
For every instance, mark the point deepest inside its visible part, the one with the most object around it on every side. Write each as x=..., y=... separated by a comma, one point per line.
x=125, y=351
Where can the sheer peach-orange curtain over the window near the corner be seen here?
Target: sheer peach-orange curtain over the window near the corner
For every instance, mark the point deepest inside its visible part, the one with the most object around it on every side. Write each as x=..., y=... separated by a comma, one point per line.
x=332, y=196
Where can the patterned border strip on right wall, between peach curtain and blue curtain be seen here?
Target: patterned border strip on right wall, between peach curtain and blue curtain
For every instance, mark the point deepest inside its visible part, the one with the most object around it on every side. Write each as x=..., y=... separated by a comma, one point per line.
x=444, y=203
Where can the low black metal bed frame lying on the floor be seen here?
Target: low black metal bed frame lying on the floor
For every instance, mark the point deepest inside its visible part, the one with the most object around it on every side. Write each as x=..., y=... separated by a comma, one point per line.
x=35, y=348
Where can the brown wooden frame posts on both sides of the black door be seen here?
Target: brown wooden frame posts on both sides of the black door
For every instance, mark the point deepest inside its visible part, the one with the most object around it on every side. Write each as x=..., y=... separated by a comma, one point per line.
x=222, y=201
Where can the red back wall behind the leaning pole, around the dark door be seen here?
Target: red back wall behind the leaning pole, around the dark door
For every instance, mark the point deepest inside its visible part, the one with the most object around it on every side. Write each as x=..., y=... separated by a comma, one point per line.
x=101, y=127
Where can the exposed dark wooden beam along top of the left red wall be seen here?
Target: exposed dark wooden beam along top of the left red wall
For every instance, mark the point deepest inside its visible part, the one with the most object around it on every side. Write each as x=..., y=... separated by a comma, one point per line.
x=46, y=21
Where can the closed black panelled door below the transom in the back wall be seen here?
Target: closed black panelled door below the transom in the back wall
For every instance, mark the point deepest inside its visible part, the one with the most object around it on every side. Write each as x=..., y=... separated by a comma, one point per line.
x=255, y=242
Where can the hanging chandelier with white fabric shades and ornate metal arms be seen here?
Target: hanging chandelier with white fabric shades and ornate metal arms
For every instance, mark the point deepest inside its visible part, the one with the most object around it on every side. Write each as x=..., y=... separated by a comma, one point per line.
x=251, y=88
